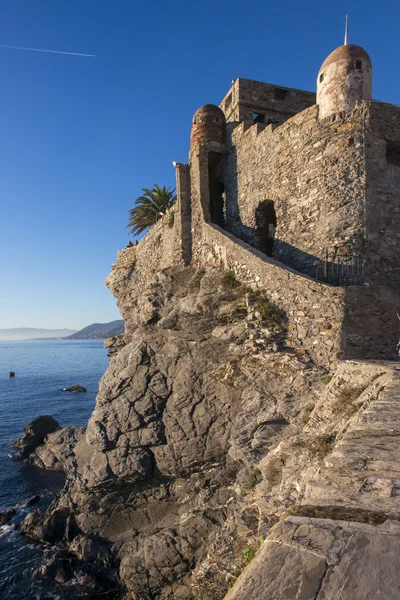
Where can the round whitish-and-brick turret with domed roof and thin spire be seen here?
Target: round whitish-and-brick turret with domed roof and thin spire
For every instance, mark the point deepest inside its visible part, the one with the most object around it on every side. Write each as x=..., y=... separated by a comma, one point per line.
x=344, y=79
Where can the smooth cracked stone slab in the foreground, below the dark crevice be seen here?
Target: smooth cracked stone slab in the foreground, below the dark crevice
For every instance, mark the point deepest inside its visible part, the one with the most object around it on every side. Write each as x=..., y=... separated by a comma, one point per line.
x=317, y=559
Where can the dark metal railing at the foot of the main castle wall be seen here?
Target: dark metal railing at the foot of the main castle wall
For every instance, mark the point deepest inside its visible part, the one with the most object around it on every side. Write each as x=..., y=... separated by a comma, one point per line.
x=340, y=269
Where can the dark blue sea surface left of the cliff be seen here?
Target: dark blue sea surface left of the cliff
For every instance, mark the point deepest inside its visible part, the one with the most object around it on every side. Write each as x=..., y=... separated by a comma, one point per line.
x=43, y=368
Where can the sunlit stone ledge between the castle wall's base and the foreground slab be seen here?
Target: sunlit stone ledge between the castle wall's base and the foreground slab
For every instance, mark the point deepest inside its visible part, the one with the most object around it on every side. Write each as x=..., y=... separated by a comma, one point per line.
x=364, y=468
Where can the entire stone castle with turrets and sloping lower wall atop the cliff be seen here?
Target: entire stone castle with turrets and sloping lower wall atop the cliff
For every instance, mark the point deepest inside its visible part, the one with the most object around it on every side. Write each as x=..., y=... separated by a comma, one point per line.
x=298, y=194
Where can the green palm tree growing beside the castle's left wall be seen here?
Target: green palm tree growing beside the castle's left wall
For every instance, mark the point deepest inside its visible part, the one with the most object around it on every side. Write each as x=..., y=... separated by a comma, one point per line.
x=150, y=207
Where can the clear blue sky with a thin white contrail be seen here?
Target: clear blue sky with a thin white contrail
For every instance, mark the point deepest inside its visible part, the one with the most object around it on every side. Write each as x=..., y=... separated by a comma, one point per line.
x=80, y=137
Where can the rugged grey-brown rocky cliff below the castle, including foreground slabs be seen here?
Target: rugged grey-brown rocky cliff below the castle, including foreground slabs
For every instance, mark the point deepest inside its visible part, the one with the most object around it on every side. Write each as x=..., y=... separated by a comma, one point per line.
x=220, y=462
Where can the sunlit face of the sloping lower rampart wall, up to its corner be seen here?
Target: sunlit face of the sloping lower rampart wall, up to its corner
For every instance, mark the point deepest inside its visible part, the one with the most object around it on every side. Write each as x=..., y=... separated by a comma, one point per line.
x=315, y=311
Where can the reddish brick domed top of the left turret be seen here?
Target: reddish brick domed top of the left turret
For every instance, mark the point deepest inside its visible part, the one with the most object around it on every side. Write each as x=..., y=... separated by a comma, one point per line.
x=208, y=125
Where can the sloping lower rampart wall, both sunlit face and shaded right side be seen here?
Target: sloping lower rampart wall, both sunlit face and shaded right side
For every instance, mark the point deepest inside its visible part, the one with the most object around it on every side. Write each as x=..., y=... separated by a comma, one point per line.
x=328, y=322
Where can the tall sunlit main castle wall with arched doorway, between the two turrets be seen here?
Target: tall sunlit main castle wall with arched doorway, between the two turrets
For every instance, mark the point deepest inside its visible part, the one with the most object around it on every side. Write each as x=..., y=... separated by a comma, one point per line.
x=314, y=172
